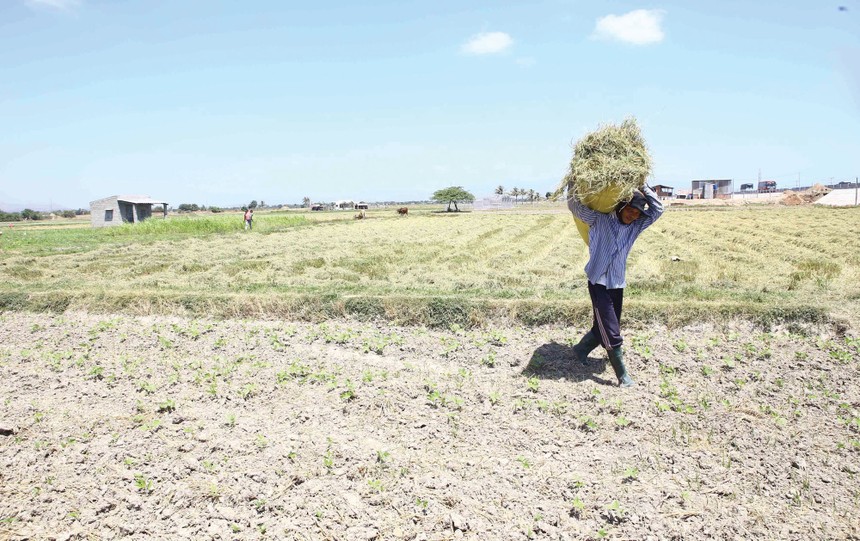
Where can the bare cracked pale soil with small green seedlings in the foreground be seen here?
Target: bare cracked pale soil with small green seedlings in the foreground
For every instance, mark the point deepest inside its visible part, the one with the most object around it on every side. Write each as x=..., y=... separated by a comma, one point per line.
x=157, y=428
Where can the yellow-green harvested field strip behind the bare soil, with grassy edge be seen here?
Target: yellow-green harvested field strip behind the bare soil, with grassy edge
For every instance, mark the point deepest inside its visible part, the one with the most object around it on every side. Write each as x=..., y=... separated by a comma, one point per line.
x=792, y=264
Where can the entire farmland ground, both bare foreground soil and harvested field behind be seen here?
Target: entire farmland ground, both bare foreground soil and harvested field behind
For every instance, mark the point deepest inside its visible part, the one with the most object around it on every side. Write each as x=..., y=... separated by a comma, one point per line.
x=218, y=384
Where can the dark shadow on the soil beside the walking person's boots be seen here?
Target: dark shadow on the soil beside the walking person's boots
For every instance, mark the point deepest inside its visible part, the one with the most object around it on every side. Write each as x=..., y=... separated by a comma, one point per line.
x=556, y=361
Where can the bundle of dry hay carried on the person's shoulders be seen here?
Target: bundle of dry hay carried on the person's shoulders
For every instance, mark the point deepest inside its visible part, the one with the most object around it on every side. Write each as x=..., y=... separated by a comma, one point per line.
x=612, y=158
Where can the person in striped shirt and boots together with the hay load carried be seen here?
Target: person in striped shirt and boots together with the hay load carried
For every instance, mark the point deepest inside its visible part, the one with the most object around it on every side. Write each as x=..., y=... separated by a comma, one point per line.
x=611, y=205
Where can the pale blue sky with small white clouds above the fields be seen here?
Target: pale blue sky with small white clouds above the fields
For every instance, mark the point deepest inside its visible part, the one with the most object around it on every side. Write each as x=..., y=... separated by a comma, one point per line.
x=219, y=103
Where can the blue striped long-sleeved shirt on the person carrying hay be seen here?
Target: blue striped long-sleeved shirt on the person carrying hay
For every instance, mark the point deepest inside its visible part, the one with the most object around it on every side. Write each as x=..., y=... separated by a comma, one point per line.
x=609, y=240
